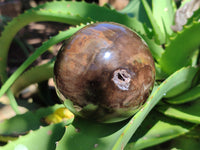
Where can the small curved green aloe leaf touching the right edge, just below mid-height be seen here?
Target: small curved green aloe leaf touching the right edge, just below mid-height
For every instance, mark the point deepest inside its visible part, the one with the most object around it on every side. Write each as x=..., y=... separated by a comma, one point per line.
x=185, y=97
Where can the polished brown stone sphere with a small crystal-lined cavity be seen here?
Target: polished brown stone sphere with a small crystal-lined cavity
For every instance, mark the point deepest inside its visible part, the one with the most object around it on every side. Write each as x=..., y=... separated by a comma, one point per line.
x=104, y=72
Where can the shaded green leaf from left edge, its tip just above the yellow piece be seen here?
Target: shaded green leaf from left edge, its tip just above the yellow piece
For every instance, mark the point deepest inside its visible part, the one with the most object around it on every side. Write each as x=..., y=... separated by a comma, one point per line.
x=21, y=124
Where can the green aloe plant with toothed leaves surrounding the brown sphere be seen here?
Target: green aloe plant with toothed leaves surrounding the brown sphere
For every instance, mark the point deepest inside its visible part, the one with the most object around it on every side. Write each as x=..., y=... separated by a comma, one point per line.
x=176, y=56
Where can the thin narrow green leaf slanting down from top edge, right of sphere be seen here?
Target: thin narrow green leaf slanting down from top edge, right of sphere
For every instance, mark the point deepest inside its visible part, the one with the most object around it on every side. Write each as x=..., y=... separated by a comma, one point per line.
x=159, y=36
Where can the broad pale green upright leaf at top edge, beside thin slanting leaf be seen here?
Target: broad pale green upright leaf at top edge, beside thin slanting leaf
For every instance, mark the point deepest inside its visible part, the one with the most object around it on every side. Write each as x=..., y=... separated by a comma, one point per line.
x=164, y=11
